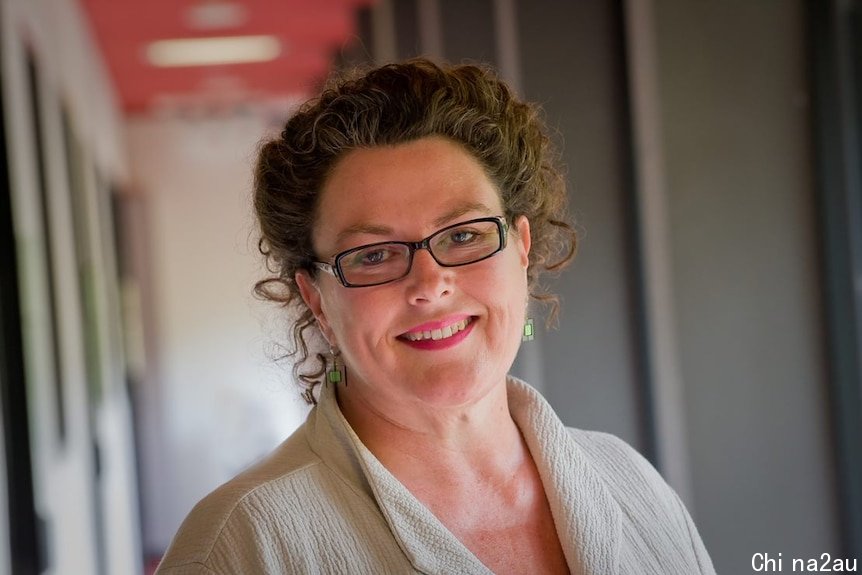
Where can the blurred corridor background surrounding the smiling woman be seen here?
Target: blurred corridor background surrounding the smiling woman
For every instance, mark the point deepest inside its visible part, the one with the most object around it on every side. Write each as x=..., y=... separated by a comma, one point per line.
x=713, y=317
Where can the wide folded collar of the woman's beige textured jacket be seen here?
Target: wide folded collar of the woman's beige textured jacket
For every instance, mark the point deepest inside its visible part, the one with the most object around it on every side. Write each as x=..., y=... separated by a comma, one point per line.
x=586, y=517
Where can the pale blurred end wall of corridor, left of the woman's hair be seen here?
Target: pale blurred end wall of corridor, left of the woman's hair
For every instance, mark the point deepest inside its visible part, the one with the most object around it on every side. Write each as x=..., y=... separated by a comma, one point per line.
x=216, y=401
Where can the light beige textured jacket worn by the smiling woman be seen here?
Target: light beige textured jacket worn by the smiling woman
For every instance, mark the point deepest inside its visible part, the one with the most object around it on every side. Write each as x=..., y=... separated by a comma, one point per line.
x=322, y=503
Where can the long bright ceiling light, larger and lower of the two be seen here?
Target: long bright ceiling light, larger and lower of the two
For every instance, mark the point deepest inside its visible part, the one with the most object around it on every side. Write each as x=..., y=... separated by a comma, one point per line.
x=213, y=51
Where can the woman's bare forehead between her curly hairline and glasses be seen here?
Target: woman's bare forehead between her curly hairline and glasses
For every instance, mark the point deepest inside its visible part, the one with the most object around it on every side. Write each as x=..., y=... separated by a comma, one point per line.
x=405, y=189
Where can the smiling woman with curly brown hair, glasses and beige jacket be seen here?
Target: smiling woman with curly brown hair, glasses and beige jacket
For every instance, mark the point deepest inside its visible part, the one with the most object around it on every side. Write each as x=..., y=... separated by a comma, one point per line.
x=407, y=214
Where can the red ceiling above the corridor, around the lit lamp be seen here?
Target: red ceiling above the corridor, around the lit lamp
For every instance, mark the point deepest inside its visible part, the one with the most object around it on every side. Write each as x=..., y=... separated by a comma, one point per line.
x=310, y=33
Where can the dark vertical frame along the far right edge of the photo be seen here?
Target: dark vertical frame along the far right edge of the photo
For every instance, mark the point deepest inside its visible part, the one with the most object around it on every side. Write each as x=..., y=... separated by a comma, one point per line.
x=835, y=49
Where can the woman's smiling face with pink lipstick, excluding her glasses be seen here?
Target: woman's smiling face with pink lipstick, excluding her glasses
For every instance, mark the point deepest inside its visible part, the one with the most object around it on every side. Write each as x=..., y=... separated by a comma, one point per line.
x=406, y=193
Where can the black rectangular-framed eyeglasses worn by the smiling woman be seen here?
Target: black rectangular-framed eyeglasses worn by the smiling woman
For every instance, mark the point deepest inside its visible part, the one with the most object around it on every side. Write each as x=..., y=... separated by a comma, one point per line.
x=456, y=245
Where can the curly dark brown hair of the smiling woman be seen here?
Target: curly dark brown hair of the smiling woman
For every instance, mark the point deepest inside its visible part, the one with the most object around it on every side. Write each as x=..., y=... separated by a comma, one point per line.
x=393, y=104
